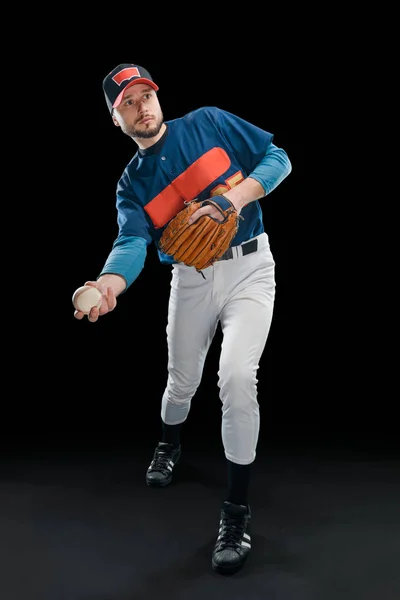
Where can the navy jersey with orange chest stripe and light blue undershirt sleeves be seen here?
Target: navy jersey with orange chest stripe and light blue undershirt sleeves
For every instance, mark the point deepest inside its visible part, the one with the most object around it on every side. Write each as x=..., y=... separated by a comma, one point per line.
x=202, y=154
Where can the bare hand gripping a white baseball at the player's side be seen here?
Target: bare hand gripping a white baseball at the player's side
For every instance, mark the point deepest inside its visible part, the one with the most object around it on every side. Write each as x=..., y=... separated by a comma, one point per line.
x=93, y=300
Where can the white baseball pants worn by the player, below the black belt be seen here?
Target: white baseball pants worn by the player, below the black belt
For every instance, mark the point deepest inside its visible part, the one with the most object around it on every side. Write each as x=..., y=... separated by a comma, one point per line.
x=239, y=294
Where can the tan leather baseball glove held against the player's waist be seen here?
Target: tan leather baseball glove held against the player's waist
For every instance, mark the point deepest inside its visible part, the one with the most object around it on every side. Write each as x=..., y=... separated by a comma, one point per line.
x=203, y=242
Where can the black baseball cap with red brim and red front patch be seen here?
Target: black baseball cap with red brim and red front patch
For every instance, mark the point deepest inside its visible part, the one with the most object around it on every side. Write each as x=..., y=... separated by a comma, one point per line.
x=122, y=77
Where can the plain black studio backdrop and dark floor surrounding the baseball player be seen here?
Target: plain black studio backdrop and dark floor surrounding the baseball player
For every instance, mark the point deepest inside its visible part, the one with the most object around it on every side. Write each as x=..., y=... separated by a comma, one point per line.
x=81, y=401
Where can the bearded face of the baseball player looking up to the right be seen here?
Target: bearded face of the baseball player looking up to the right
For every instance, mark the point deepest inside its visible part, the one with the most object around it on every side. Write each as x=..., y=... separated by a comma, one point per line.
x=139, y=115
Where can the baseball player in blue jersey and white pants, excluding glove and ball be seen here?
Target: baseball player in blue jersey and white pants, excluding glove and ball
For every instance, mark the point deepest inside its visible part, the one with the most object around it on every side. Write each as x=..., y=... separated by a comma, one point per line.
x=204, y=154
